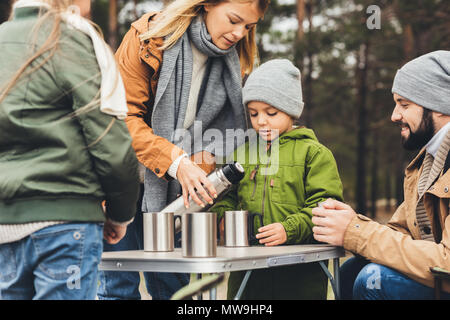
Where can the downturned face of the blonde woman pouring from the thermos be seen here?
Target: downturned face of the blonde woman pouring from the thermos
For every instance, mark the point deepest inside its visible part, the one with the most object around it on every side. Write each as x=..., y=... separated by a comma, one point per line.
x=228, y=22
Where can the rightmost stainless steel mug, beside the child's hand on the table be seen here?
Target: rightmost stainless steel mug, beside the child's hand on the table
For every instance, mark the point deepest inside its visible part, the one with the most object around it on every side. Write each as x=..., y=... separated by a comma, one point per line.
x=239, y=227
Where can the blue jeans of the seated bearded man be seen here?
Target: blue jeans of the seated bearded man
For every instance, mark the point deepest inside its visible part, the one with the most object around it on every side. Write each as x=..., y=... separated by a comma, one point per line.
x=363, y=280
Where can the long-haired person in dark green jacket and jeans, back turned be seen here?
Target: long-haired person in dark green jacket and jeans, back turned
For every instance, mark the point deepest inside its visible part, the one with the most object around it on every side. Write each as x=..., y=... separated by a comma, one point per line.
x=63, y=150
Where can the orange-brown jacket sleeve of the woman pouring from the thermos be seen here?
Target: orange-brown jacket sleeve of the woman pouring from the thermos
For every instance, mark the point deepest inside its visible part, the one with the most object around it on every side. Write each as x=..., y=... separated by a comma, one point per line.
x=153, y=151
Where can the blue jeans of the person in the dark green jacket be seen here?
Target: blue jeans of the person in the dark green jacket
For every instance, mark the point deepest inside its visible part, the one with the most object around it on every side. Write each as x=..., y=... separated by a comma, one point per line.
x=57, y=263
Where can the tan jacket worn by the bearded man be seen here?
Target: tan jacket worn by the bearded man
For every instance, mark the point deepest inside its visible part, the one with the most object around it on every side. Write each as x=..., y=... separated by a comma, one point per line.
x=398, y=245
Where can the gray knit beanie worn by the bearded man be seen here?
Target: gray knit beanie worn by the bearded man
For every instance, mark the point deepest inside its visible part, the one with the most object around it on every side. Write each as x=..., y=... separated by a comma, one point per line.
x=426, y=81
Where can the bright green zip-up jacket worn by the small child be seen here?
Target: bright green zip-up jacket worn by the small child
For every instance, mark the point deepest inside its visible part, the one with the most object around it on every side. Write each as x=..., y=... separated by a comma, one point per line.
x=307, y=174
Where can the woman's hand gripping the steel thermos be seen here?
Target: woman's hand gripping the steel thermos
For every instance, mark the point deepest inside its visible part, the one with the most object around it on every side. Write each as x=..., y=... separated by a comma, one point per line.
x=194, y=182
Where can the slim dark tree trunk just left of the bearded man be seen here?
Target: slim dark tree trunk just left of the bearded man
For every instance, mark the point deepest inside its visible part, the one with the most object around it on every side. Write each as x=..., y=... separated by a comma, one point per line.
x=361, y=78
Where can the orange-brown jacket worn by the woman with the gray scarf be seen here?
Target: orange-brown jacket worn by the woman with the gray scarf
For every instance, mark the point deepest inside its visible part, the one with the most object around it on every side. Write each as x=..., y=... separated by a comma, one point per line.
x=139, y=63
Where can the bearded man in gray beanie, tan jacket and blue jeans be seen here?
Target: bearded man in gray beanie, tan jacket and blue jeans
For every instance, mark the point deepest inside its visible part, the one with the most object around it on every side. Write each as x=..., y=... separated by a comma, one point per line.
x=393, y=261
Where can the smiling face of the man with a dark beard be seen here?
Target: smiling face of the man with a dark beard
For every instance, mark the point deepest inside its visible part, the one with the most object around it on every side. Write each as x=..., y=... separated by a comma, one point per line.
x=416, y=123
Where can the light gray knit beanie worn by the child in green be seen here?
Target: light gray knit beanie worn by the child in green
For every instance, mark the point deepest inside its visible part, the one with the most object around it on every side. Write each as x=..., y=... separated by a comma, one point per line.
x=277, y=83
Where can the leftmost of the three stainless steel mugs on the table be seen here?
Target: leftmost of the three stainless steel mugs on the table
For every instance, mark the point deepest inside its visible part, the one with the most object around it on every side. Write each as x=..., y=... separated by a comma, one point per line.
x=159, y=231
